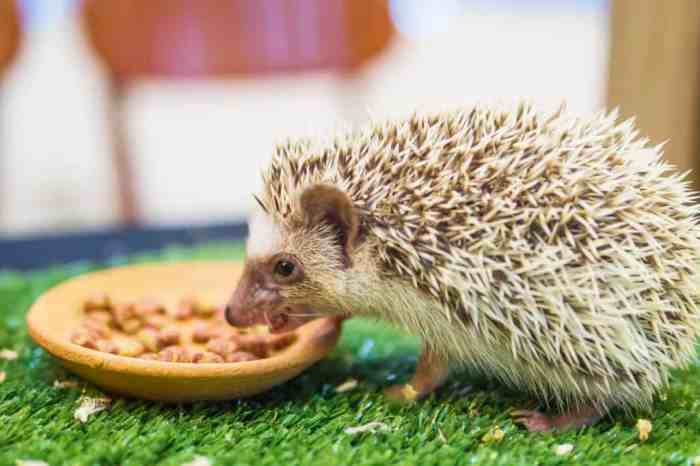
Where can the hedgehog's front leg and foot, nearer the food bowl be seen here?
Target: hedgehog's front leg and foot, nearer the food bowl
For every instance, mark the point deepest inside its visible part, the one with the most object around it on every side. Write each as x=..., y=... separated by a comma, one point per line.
x=431, y=372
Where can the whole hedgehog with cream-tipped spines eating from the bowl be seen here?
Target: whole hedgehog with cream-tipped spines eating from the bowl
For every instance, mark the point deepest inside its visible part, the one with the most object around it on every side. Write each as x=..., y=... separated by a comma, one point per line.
x=554, y=253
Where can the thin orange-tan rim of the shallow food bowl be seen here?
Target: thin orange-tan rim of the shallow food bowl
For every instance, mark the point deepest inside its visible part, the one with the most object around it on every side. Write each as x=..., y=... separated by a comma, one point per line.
x=302, y=352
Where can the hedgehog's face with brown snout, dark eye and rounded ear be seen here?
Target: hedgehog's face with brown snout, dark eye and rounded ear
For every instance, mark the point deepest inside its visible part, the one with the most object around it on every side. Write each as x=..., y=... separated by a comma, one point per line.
x=291, y=263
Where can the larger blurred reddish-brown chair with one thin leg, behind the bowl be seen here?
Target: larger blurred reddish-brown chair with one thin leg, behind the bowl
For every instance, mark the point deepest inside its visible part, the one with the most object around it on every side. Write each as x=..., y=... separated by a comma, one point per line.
x=172, y=39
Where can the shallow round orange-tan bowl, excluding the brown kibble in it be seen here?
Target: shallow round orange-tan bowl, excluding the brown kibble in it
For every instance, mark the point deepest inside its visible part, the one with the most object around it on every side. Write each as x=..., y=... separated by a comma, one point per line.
x=59, y=311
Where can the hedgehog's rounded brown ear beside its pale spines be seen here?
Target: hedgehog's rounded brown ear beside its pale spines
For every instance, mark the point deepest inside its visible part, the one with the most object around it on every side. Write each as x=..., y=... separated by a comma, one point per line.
x=327, y=204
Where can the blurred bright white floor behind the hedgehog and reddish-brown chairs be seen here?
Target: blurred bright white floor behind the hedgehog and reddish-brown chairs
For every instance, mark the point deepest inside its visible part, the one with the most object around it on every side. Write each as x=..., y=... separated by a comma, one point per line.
x=199, y=147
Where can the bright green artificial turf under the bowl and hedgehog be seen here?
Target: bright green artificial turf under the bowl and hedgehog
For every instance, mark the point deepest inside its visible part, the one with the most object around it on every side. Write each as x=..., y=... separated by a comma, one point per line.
x=302, y=422
